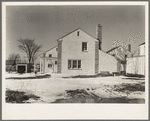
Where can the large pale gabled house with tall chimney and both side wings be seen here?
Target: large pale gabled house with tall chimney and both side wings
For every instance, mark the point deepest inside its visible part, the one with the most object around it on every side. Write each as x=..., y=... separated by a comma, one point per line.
x=78, y=53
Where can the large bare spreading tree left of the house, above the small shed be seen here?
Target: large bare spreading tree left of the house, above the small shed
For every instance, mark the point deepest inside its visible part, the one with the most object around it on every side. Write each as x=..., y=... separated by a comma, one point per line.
x=30, y=48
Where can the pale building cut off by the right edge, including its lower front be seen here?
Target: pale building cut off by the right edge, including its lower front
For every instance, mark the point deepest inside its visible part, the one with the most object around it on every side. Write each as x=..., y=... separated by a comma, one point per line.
x=136, y=64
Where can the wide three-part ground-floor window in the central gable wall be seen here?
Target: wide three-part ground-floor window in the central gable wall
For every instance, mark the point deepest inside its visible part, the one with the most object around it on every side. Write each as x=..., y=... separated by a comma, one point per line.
x=74, y=64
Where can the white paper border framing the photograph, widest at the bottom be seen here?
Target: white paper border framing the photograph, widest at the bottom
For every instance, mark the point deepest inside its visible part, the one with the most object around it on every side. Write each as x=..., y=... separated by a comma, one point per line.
x=74, y=111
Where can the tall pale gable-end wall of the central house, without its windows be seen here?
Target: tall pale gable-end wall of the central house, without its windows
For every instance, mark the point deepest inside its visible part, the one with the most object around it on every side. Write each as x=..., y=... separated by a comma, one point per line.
x=72, y=50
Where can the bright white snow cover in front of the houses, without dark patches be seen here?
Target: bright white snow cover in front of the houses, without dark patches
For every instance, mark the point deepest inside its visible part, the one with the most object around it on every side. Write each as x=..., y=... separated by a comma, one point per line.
x=50, y=89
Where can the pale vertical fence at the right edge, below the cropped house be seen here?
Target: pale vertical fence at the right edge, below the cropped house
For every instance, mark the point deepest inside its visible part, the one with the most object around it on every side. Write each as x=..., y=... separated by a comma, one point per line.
x=136, y=65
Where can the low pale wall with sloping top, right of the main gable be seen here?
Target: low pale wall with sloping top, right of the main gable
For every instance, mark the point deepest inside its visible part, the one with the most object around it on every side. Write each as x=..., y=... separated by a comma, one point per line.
x=107, y=62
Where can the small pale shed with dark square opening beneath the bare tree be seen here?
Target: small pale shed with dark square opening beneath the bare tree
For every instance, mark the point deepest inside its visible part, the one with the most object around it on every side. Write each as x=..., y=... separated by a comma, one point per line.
x=23, y=68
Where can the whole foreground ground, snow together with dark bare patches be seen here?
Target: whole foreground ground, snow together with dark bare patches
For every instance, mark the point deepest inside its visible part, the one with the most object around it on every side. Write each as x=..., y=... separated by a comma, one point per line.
x=55, y=89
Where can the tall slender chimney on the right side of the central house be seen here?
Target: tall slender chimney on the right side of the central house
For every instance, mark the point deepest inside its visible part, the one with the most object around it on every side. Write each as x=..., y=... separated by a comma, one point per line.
x=99, y=35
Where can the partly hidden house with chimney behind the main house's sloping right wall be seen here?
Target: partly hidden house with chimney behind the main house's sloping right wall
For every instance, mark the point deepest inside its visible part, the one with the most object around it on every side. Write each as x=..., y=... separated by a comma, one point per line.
x=121, y=53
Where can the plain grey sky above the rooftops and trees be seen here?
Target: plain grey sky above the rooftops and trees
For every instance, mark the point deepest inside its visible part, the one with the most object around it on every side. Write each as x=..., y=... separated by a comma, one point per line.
x=121, y=25
